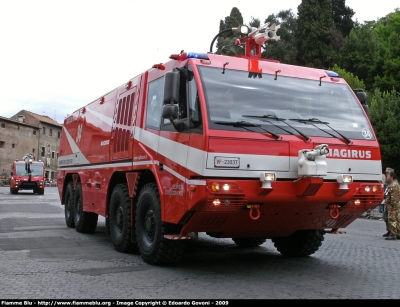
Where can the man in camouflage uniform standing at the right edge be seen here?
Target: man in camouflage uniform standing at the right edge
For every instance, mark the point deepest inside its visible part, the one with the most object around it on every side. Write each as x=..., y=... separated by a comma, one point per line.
x=393, y=205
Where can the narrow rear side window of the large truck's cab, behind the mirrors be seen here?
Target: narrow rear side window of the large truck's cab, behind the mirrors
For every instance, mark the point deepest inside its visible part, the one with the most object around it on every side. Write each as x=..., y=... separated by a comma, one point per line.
x=155, y=96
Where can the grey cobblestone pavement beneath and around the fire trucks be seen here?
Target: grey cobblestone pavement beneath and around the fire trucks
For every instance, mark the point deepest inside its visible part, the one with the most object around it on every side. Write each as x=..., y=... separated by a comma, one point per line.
x=40, y=258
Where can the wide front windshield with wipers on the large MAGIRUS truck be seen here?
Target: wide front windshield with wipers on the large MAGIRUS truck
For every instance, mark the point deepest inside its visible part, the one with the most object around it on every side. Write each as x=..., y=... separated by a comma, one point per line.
x=233, y=96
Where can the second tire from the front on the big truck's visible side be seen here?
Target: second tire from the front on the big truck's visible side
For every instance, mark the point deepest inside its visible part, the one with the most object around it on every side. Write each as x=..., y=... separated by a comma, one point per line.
x=120, y=220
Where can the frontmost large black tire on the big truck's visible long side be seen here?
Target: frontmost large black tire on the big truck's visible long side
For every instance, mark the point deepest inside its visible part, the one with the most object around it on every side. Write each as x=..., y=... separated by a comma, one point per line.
x=150, y=230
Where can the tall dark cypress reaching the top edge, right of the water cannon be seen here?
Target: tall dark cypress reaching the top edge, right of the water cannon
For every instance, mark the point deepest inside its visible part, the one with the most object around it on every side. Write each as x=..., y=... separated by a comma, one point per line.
x=315, y=34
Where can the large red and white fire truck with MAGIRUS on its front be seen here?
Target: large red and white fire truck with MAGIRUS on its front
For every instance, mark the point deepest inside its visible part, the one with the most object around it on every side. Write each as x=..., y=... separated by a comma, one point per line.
x=235, y=146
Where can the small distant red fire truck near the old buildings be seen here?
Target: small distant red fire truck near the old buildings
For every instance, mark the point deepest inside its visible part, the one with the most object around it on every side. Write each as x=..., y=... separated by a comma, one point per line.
x=27, y=175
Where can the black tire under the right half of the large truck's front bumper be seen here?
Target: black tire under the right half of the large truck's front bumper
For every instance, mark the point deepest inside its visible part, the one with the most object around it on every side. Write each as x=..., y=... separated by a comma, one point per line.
x=300, y=244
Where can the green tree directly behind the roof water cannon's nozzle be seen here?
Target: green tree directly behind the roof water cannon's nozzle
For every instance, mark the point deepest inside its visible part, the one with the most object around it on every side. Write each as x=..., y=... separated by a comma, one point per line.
x=285, y=49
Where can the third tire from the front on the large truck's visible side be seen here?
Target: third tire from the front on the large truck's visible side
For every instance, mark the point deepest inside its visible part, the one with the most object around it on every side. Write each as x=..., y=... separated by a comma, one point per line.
x=85, y=222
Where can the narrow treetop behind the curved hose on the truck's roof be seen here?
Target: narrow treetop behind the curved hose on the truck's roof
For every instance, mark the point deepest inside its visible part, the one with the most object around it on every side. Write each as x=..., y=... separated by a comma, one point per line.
x=234, y=20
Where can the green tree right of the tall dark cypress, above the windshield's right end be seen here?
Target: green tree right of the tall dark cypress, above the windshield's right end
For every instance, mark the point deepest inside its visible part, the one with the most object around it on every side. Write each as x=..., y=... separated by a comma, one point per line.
x=358, y=53
